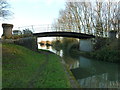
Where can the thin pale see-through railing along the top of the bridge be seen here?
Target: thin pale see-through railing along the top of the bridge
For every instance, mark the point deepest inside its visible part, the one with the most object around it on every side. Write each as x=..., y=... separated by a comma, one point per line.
x=47, y=28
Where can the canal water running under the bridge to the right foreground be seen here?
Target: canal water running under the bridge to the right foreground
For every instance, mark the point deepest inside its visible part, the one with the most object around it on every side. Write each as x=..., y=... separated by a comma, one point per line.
x=89, y=73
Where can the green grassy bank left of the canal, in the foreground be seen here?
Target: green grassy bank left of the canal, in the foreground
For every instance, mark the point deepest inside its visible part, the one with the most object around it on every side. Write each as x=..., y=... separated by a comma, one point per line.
x=23, y=68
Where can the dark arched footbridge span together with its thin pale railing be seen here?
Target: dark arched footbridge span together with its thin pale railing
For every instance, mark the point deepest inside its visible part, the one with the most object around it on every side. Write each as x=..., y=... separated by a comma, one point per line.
x=47, y=30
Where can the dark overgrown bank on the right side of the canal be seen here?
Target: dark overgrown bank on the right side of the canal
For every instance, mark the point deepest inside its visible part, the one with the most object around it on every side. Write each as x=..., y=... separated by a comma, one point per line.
x=107, y=50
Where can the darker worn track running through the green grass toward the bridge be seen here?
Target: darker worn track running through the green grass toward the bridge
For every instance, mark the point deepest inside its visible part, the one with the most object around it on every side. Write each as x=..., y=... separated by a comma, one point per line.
x=38, y=72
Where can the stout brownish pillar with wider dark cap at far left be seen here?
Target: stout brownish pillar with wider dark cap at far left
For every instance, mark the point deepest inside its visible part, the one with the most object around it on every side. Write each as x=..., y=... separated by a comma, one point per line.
x=7, y=30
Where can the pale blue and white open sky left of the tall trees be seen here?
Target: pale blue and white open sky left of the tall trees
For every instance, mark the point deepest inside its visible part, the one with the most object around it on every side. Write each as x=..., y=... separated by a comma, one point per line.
x=33, y=12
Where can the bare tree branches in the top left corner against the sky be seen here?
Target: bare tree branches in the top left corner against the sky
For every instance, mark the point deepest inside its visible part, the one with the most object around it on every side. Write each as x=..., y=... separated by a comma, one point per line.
x=4, y=9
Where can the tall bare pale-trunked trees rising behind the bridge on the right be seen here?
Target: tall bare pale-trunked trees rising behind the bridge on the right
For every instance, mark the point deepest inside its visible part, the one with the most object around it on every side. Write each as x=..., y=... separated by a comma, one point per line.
x=89, y=17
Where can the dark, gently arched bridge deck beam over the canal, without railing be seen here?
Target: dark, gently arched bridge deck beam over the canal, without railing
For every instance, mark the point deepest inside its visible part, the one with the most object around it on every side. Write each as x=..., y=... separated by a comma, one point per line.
x=64, y=34
